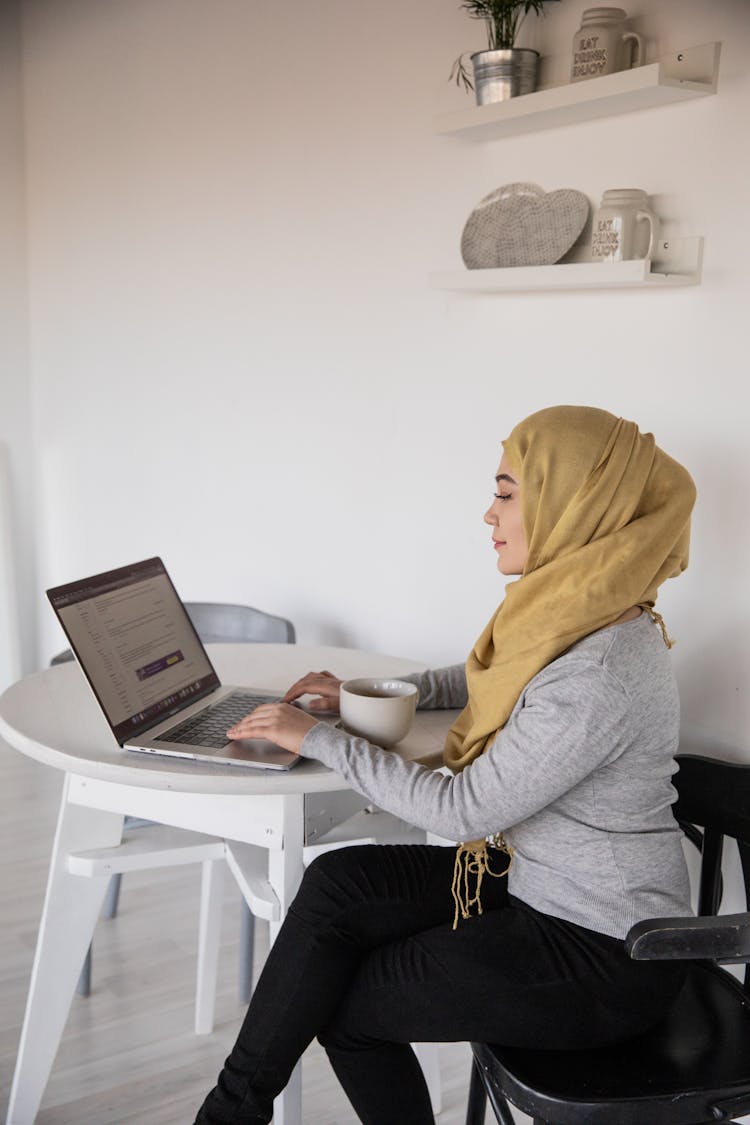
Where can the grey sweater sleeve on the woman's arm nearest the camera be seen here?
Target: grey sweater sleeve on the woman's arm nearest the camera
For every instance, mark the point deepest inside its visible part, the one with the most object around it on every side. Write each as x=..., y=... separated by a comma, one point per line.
x=566, y=725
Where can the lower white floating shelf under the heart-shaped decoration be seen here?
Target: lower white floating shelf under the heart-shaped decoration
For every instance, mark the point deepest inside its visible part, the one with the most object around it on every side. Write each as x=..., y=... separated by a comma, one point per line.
x=677, y=263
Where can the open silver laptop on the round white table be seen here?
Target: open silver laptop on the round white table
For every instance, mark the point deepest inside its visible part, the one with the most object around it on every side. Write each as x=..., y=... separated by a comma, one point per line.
x=151, y=674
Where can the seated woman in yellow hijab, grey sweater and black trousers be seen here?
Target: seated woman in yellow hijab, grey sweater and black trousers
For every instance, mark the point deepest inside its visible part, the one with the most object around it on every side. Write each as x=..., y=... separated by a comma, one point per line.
x=562, y=761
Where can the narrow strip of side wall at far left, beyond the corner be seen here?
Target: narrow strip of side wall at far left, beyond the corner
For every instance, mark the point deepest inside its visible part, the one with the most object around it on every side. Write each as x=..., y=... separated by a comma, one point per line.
x=17, y=586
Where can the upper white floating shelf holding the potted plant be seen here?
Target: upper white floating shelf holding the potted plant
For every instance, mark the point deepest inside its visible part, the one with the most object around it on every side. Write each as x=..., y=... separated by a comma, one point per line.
x=679, y=77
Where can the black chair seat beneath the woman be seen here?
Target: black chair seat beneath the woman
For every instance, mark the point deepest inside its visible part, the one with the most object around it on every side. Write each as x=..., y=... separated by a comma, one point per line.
x=698, y=1057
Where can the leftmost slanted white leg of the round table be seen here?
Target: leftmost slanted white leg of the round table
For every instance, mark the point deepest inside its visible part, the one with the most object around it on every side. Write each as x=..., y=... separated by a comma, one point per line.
x=71, y=907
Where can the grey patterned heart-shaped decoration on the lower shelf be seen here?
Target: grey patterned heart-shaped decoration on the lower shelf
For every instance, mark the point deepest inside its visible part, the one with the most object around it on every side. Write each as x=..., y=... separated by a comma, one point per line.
x=521, y=224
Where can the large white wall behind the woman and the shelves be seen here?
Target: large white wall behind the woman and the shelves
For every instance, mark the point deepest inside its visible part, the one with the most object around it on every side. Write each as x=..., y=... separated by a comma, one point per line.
x=239, y=364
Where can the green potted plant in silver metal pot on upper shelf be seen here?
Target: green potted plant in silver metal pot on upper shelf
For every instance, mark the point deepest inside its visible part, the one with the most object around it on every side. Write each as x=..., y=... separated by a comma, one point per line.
x=503, y=71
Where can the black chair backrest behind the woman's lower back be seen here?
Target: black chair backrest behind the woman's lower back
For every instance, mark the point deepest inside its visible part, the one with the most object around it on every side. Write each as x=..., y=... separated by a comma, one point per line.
x=715, y=797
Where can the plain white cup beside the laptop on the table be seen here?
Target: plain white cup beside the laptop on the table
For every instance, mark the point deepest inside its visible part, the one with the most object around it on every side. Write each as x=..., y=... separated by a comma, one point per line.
x=379, y=710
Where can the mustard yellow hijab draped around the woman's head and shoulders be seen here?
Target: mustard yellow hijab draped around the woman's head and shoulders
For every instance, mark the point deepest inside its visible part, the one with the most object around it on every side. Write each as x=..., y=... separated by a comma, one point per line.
x=607, y=517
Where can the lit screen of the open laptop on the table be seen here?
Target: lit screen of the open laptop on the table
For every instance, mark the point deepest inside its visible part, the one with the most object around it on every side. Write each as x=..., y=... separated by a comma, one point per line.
x=137, y=645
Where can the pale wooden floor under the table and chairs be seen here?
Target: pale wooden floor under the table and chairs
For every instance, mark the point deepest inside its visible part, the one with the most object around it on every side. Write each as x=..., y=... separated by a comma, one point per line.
x=129, y=1054
